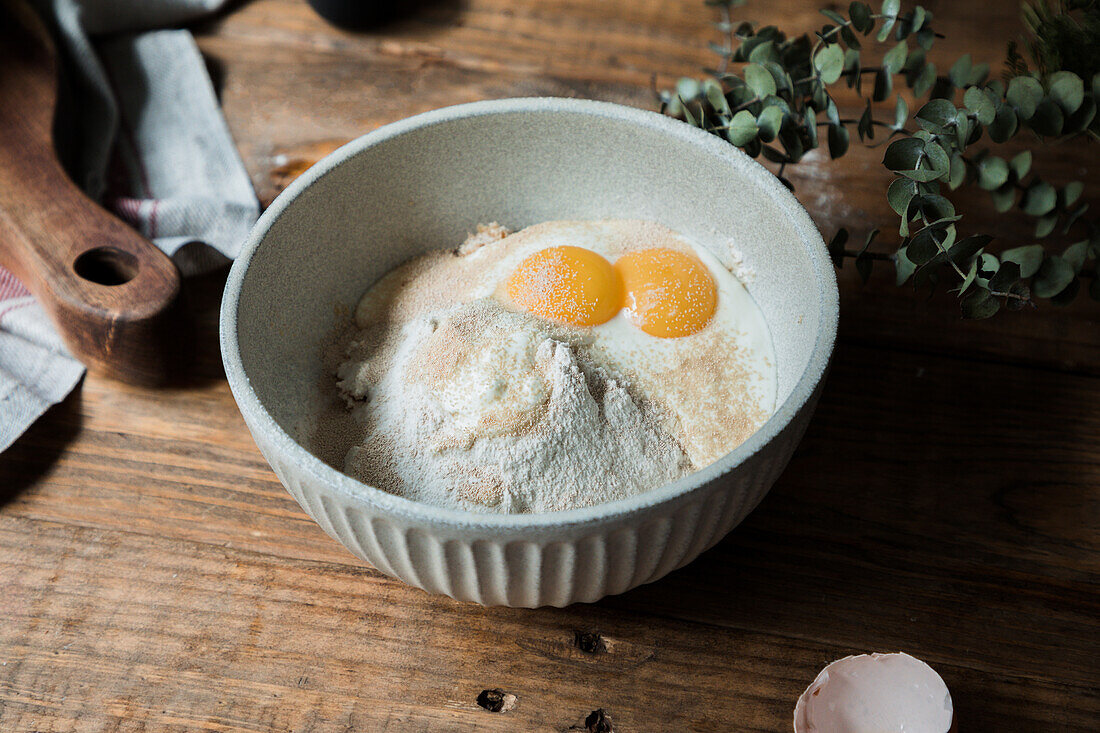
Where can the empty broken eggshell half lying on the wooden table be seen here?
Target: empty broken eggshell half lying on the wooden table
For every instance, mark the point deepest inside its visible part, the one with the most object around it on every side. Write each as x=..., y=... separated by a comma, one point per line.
x=876, y=693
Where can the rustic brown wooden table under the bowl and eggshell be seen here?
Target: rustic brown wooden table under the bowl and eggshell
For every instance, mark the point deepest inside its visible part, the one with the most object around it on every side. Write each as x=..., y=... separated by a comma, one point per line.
x=155, y=576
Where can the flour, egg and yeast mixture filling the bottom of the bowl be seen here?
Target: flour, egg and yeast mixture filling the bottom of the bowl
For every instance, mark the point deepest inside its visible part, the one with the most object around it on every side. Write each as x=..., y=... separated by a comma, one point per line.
x=568, y=365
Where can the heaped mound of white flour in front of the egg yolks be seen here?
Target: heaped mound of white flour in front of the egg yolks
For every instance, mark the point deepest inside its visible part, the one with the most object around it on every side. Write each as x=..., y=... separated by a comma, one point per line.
x=559, y=436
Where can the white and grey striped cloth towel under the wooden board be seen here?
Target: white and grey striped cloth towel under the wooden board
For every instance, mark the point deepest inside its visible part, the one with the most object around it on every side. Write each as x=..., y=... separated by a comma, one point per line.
x=141, y=132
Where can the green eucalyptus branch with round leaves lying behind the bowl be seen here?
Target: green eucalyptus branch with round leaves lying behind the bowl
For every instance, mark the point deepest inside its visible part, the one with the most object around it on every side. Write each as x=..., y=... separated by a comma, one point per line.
x=779, y=97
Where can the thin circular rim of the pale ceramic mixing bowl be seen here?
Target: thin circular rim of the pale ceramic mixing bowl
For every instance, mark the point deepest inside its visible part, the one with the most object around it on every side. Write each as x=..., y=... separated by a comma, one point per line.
x=259, y=419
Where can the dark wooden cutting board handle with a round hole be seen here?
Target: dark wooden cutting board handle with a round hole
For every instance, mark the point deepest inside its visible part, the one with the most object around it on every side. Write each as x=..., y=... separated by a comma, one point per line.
x=109, y=292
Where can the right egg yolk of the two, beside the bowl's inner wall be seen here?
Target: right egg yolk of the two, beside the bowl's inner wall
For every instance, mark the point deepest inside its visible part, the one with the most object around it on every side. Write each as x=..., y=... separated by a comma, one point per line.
x=667, y=293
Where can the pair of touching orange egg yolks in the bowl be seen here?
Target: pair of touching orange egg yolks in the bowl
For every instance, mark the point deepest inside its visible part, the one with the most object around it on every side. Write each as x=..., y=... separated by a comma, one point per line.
x=666, y=293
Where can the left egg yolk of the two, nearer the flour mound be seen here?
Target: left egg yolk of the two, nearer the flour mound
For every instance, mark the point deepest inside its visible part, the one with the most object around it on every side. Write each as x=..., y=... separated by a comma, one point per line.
x=568, y=286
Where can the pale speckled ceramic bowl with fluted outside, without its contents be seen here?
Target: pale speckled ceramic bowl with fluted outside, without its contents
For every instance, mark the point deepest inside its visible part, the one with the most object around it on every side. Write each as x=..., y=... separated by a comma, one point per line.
x=424, y=183
